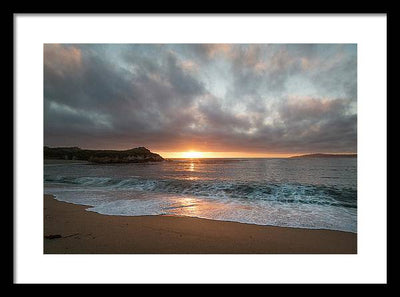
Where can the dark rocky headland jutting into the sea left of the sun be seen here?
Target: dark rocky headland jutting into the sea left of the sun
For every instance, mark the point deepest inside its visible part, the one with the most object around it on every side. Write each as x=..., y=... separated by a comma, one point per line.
x=135, y=155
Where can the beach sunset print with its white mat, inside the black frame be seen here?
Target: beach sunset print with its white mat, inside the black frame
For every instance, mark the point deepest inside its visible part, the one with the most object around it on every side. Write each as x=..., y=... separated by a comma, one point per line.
x=212, y=144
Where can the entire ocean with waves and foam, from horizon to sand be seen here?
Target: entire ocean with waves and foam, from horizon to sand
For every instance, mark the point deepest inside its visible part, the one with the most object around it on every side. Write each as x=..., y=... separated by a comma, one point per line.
x=318, y=193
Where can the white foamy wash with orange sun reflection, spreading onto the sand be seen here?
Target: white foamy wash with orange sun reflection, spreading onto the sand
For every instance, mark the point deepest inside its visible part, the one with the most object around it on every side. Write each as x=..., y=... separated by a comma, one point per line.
x=261, y=212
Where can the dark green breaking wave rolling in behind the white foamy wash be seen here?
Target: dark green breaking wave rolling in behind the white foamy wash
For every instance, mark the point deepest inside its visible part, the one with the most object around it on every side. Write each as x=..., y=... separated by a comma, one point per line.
x=280, y=192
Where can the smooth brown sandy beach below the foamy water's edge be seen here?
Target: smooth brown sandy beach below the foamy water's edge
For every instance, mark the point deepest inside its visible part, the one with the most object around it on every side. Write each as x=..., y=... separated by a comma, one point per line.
x=77, y=231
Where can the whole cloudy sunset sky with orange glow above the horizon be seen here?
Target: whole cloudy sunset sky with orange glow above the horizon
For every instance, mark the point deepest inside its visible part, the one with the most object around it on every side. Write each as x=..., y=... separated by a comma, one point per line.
x=224, y=100
